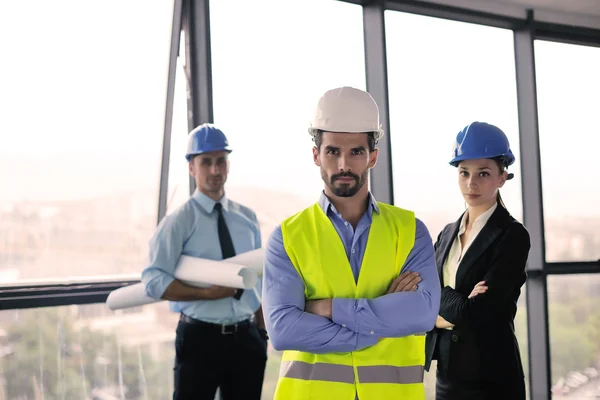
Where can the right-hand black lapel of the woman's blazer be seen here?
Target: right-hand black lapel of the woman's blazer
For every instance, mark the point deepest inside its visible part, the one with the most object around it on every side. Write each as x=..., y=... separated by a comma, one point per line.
x=487, y=236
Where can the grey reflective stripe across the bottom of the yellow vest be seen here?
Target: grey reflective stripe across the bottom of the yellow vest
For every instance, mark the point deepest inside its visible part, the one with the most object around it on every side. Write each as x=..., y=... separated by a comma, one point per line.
x=345, y=373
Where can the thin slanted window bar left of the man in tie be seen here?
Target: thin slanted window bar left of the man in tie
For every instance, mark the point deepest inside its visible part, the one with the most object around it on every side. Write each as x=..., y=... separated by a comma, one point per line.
x=163, y=191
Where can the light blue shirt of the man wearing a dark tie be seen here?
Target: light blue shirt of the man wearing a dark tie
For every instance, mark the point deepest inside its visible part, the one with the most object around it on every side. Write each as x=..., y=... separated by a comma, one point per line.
x=191, y=230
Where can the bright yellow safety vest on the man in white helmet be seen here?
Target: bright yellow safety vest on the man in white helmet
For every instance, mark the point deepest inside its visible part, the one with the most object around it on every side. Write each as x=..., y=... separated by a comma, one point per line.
x=391, y=369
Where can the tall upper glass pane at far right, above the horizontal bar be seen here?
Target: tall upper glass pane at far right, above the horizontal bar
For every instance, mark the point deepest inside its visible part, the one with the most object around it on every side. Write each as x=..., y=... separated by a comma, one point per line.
x=568, y=84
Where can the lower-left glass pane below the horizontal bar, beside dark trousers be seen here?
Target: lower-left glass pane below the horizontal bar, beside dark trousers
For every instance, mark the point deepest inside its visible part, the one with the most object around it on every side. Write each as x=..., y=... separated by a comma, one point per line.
x=87, y=352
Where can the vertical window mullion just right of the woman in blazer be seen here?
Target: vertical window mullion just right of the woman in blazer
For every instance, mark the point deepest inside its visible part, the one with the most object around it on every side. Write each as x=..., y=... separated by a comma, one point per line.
x=537, y=304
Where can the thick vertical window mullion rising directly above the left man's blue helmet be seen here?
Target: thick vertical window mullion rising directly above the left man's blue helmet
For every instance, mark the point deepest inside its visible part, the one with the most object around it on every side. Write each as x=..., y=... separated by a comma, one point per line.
x=196, y=27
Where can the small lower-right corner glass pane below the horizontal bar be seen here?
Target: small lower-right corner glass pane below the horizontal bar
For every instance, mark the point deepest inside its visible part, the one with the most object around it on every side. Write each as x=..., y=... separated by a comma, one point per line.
x=574, y=319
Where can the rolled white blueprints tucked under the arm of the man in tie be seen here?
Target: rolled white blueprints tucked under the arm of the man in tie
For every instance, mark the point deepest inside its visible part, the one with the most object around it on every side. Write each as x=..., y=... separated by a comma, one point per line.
x=240, y=272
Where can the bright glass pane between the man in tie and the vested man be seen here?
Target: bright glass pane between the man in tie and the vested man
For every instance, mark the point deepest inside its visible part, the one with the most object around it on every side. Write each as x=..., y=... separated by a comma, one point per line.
x=268, y=75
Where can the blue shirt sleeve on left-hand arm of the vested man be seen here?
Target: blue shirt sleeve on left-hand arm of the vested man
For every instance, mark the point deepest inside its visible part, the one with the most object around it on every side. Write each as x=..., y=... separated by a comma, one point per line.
x=289, y=326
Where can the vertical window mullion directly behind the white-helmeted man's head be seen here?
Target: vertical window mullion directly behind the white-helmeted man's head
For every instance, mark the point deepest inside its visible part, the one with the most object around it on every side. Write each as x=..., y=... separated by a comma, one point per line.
x=377, y=86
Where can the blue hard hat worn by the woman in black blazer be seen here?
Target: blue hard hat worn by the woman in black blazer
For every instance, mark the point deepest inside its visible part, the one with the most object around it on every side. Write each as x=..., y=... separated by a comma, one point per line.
x=481, y=140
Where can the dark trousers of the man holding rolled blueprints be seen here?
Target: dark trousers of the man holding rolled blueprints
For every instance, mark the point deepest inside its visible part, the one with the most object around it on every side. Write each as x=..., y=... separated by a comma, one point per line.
x=207, y=359
